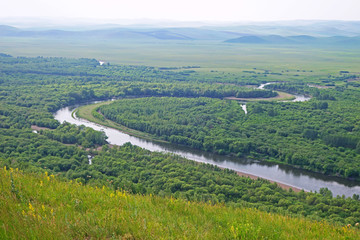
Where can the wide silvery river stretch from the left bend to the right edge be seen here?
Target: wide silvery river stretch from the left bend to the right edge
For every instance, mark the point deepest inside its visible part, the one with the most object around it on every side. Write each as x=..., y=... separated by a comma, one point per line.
x=288, y=175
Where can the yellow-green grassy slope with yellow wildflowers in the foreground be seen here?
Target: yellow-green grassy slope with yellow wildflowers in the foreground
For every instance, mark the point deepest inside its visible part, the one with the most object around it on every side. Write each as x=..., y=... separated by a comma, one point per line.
x=36, y=206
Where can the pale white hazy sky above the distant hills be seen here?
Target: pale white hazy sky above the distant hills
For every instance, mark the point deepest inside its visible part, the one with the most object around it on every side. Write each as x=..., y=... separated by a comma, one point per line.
x=185, y=10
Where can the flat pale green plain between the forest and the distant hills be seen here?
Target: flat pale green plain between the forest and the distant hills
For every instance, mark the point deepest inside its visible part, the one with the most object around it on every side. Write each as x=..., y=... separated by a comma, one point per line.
x=210, y=55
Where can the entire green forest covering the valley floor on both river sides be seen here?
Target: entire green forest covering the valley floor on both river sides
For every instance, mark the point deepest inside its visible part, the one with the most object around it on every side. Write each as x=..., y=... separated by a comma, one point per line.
x=186, y=107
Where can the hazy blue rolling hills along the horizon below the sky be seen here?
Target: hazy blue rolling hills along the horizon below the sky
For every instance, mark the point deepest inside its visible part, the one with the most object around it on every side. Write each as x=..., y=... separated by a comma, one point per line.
x=281, y=33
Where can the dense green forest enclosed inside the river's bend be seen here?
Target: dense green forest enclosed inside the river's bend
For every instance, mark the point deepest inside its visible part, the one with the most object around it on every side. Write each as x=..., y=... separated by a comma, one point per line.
x=319, y=135
